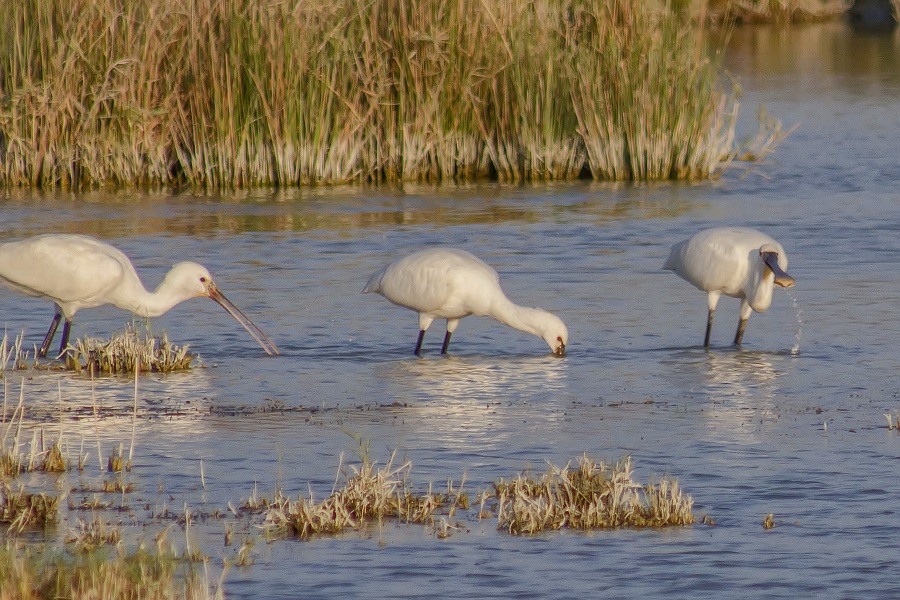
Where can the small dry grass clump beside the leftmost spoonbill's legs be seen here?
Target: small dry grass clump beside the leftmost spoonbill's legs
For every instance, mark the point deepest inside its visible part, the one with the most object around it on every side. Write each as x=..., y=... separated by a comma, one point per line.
x=127, y=352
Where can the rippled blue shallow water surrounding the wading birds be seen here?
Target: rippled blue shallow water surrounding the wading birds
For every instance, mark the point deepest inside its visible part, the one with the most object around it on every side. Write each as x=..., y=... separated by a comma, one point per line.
x=790, y=424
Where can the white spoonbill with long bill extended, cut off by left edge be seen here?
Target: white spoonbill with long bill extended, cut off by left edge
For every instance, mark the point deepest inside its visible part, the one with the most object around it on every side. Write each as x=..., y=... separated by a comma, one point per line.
x=78, y=271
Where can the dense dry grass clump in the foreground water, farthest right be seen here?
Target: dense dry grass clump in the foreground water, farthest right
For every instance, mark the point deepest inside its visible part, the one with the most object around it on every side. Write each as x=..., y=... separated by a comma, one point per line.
x=595, y=495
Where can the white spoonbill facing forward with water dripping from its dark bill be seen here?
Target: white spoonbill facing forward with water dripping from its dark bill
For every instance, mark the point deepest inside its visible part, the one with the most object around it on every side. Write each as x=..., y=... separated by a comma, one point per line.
x=736, y=261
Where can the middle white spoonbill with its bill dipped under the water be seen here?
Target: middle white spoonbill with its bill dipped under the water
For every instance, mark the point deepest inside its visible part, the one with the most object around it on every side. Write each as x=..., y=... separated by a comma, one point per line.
x=446, y=283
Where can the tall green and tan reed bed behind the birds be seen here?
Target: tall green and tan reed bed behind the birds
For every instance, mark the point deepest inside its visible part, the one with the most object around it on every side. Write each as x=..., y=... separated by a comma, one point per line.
x=240, y=93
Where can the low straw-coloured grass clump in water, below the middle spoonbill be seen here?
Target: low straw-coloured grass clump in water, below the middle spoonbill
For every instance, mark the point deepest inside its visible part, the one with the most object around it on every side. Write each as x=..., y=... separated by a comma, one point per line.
x=369, y=493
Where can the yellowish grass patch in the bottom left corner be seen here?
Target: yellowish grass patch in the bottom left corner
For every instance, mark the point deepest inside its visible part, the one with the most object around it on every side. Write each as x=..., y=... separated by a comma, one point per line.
x=30, y=574
